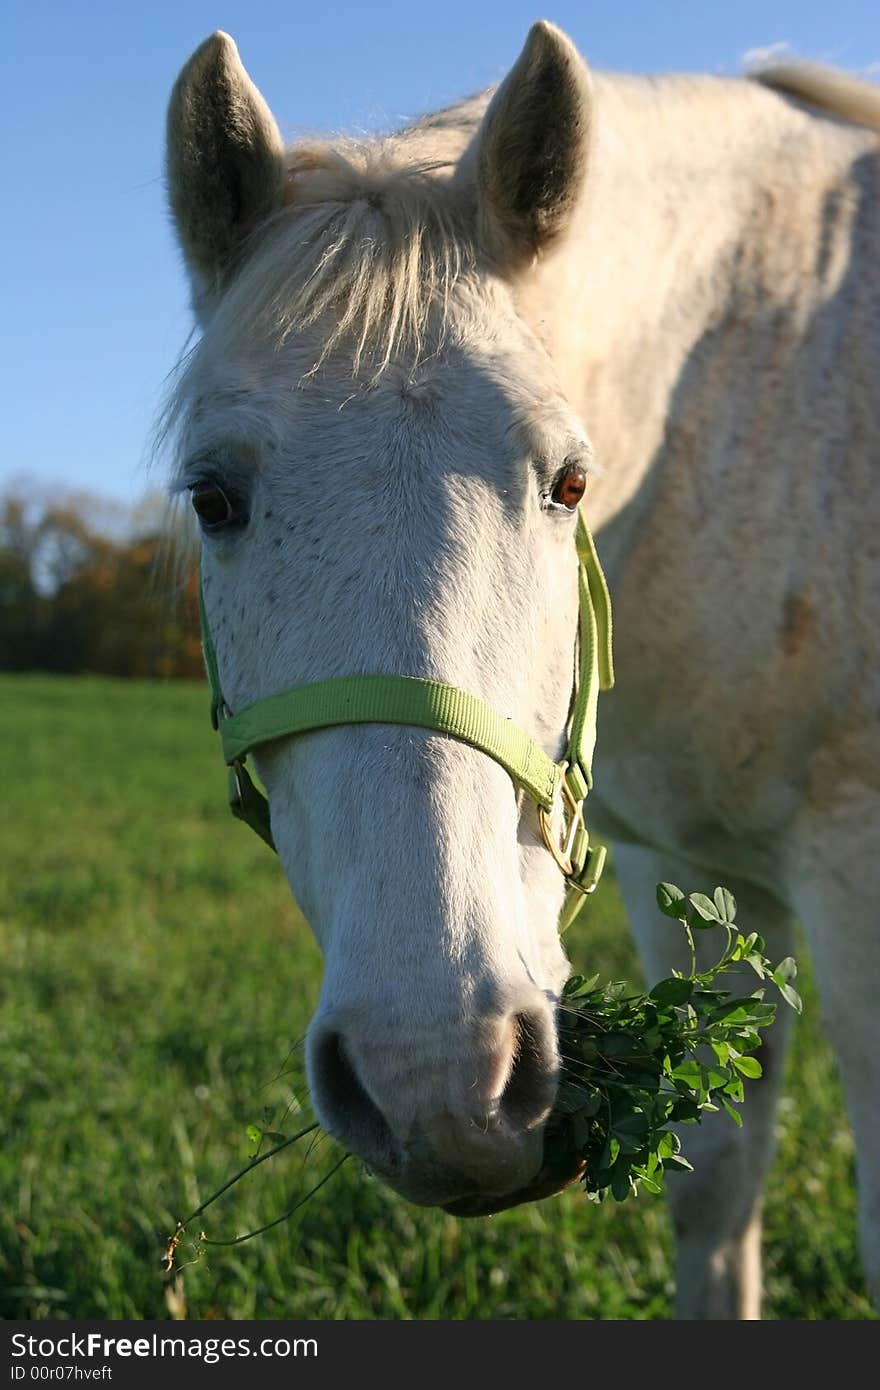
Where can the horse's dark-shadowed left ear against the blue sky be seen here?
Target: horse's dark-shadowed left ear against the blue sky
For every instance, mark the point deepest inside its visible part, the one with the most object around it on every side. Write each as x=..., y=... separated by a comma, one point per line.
x=225, y=161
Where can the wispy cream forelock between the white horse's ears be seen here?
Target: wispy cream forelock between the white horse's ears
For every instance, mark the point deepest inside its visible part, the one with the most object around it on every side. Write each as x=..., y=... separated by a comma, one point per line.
x=370, y=243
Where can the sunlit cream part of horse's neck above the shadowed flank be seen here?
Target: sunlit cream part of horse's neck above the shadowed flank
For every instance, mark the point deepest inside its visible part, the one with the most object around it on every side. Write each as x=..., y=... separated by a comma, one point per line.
x=714, y=209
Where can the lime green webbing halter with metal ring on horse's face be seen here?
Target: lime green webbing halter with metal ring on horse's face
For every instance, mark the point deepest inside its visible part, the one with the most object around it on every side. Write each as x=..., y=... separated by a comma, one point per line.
x=408, y=700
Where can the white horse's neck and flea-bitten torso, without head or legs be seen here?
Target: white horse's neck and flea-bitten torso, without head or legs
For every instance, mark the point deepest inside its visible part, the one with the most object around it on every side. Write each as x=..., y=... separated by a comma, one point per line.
x=731, y=402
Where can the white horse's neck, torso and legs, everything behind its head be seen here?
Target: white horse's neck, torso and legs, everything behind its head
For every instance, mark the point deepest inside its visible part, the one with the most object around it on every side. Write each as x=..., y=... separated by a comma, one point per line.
x=731, y=400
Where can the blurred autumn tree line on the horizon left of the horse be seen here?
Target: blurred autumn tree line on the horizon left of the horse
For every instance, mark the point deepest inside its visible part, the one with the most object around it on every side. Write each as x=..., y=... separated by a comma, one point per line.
x=85, y=587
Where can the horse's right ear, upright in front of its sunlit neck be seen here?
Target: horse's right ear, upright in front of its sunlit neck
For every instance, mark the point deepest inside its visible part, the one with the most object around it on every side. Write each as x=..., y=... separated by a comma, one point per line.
x=532, y=151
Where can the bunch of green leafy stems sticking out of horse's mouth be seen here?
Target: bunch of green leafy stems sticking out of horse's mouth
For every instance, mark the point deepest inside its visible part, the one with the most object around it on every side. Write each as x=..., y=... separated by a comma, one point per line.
x=639, y=1064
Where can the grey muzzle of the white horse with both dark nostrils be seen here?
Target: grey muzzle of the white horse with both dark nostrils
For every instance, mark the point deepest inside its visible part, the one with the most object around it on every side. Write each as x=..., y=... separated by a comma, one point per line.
x=447, y=1121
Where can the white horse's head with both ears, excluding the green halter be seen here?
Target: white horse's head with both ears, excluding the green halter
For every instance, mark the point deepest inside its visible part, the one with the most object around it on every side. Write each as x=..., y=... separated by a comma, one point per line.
x=386, y=472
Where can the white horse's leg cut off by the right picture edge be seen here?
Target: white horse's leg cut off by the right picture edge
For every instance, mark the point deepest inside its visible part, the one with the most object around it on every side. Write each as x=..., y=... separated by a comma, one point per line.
x=836, y=889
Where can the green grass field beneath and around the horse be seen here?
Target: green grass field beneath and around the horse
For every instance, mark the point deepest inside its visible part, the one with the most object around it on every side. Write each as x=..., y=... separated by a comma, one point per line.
x=155, y=981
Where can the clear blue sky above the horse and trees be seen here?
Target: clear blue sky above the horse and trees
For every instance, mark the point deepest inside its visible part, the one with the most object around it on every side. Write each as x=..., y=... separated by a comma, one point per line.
x=95, y=301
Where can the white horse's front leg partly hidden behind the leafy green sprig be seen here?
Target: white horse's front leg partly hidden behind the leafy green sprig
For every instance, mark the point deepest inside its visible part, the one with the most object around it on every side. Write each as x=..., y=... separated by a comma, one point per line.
x=717, y=1210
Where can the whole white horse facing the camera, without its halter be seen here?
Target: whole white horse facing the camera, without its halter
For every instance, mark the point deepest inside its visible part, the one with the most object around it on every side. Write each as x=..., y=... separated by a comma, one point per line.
x=411, y=350
